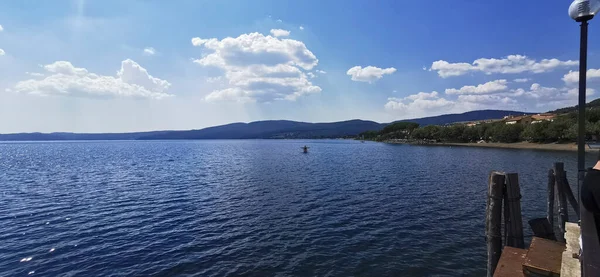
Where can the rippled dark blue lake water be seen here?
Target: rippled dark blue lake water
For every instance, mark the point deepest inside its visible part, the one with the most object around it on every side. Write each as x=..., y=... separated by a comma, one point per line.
x=254, y=207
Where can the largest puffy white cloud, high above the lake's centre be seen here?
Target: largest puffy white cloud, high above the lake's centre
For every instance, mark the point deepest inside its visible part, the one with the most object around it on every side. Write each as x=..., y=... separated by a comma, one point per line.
x=259, y=68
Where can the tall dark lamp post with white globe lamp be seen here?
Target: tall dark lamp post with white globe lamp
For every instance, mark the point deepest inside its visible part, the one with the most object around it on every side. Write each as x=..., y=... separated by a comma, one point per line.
x=582, y=11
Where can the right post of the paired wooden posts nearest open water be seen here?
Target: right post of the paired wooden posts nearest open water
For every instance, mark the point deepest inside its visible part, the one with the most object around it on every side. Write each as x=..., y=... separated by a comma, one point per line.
x=513, y=220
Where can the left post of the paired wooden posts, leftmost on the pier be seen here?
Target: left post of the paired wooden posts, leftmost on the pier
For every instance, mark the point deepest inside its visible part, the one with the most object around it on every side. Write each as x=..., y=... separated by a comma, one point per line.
x=493, y=227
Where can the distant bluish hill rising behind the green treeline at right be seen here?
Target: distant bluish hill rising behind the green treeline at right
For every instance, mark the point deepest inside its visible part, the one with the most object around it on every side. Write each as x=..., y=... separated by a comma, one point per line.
x=463, y=117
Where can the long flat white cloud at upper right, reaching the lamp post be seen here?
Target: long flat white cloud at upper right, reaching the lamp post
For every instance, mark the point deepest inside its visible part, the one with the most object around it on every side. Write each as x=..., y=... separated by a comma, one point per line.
x=508, y=65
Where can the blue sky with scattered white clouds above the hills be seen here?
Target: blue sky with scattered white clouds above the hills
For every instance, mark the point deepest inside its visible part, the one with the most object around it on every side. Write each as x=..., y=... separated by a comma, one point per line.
x=121, y=66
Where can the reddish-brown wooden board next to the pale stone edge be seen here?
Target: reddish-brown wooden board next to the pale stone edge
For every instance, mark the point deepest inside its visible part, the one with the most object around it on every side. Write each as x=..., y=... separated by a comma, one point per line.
x=544, y=258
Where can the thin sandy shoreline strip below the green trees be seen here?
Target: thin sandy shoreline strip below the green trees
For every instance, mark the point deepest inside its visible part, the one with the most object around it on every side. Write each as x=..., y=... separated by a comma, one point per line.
x=517, y=145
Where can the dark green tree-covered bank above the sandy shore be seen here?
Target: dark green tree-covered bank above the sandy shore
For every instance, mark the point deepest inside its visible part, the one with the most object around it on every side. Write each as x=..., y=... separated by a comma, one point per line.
x=562, y=129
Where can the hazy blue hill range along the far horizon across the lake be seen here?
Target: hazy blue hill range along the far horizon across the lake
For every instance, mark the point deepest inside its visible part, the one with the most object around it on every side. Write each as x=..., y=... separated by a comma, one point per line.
x=270, y=129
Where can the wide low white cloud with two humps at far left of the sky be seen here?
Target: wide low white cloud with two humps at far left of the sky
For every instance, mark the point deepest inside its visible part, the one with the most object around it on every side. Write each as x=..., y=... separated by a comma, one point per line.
x=64, y=79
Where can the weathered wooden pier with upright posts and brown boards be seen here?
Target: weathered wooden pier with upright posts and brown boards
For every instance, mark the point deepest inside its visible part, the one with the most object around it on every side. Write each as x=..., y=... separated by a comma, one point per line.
x=551, y=252
